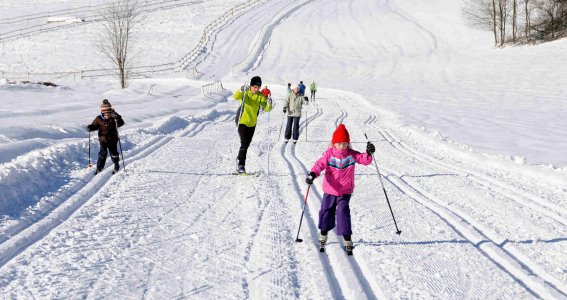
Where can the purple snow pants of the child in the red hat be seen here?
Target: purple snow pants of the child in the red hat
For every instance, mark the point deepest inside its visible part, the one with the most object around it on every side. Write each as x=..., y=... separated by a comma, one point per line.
x=339, y=205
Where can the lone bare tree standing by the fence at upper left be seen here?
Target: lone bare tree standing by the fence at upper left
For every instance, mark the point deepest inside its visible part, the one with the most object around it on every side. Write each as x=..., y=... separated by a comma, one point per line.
x=120, y=18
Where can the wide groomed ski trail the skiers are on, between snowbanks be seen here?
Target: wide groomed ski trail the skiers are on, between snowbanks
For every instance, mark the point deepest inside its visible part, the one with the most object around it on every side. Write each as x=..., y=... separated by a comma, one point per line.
x=177, y=215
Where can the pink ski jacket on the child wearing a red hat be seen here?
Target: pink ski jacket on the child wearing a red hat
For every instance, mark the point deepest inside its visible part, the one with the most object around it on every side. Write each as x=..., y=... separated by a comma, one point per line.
x=339, y=169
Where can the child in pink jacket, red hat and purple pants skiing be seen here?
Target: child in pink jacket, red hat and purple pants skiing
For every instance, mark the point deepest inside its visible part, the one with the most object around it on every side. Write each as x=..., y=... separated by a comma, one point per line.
x=338, y=162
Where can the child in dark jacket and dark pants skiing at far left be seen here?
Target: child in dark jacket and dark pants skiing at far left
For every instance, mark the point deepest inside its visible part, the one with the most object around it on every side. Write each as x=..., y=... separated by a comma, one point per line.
x=107, y=124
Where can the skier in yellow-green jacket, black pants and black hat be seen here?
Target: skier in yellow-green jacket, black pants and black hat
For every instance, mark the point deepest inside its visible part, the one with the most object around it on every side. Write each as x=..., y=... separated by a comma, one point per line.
x=251, y=100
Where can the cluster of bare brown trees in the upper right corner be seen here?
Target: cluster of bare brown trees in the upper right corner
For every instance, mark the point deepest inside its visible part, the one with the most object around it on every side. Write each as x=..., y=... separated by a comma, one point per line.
x=518, y=21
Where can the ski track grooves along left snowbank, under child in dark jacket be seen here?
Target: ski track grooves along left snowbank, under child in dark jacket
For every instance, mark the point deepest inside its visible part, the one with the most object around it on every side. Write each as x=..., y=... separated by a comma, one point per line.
x=83, y=191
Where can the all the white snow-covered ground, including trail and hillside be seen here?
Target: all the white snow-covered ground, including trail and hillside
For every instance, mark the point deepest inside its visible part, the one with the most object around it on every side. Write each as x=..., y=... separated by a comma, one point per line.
x=469, y=141
